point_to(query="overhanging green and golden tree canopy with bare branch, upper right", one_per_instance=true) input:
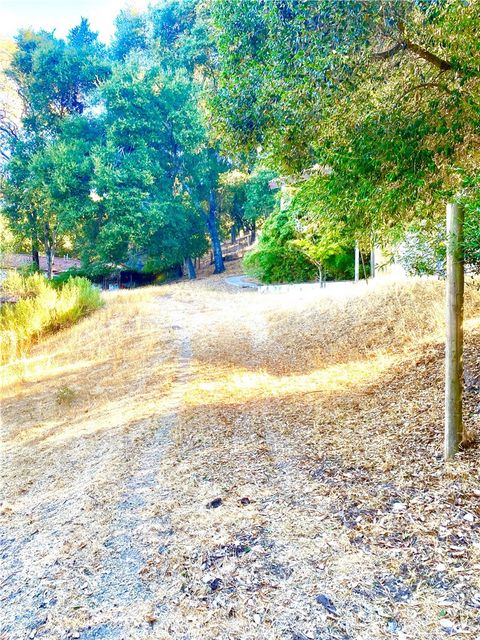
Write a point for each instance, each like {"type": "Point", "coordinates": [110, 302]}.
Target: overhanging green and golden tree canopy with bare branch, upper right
{"type": "Point", "coordinates": [386, 94]}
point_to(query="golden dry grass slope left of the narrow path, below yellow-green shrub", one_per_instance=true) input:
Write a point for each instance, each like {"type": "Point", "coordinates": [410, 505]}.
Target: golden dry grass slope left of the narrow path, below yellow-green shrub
{"type": "Point", "coordinates": [81, 381]}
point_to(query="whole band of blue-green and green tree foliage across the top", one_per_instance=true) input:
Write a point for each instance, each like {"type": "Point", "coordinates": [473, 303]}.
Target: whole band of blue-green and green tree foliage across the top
{"type": "Point", "coordinates": [117, 156]}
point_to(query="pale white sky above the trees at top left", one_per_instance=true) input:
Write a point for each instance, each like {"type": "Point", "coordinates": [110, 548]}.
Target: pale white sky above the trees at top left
{"type": "Point", "coordinates": [62, 15]}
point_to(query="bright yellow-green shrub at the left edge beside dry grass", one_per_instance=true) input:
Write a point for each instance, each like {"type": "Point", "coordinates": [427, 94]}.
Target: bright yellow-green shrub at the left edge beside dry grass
{"type": "Point", "coordinates": [41, 308]}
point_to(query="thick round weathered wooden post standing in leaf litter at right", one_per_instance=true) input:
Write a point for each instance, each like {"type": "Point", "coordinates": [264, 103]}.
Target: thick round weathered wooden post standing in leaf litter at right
{"type": "Point", "coordinates": [454, 334]}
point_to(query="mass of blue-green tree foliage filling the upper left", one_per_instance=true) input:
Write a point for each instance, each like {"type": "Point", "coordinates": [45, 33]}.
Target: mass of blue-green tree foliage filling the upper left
{"type": "Point", "coordinates": [115, 155]}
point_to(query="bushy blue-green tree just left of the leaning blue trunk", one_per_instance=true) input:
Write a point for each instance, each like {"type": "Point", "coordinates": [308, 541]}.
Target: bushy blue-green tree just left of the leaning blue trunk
{"type": "Point", "coordinates": [139, 211]}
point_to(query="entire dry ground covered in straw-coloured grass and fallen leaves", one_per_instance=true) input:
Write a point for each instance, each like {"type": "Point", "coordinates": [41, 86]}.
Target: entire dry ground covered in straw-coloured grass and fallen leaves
{"type": "Point", "coordinates": [198, 462]}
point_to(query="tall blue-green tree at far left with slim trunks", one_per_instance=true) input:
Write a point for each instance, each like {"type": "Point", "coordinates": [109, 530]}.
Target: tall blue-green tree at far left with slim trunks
{"type": "Point", "coordinates": [53, 79]}
